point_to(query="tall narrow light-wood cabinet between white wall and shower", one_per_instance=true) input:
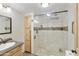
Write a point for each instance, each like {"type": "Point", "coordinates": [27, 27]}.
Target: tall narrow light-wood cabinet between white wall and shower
{"type": "Point", "coordinates": [27, 30]}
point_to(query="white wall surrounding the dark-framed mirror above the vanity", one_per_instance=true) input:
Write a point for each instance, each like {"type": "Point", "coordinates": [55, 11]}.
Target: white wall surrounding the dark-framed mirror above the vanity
{"type": "Point", "coordinates": [17, 25]}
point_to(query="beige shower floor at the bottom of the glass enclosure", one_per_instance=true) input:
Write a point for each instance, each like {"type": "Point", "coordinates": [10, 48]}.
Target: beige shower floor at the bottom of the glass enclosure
{"type": "Point", "coordinates": [49, 53]}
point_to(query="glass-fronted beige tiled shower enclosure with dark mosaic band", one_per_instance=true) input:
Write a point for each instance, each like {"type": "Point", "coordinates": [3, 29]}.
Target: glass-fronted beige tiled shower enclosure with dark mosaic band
{"type": "Point", "coordinates": [50, 34]}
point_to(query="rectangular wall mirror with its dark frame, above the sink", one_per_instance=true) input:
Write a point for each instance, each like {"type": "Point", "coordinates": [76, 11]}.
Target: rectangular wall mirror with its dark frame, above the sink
{"type": "Point", "coordinates": [5, 25]}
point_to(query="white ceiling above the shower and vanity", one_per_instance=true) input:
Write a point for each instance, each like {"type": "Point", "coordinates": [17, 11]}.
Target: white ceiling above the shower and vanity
{"type": "Point", "coordinates": [36, 8]}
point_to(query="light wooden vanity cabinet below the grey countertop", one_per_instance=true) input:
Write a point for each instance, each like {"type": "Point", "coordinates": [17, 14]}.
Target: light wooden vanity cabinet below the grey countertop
{"type": "Point", "coordinates": [15, 52]}
